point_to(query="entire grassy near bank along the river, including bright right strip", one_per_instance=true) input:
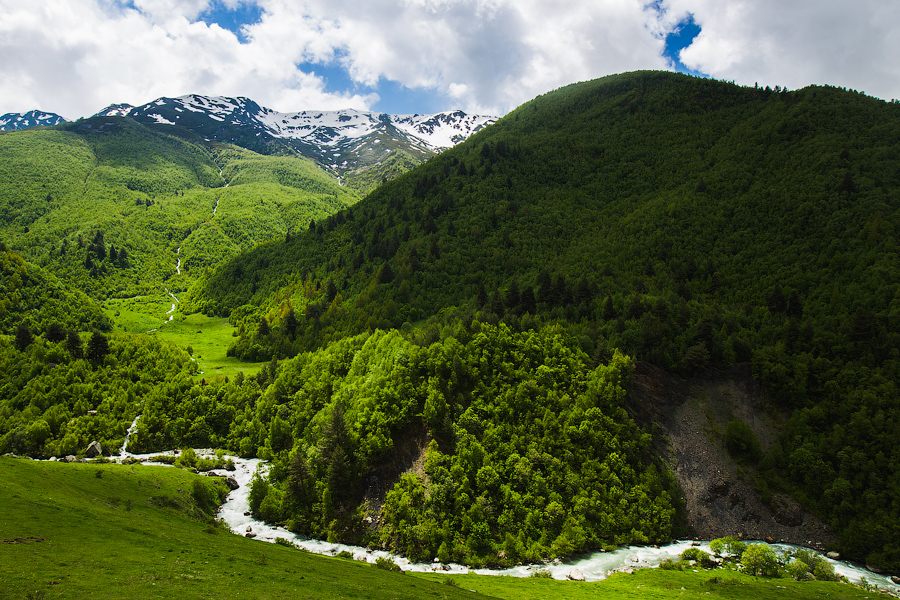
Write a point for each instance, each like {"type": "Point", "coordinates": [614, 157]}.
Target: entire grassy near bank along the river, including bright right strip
{"type": "Point", "coordinates": [135, 531]}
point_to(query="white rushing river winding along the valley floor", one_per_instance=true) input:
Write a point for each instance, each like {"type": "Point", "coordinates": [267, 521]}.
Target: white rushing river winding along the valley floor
{"type": "Point", "coordinates": [235, 512]}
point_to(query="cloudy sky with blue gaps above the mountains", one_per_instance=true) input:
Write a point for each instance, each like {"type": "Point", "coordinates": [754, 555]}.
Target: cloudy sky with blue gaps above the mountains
{"type": "Point", "coordinates": [75, 57]}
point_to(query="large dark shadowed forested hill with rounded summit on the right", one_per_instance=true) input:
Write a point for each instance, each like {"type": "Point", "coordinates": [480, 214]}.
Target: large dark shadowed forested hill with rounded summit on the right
{"type": "Point", "coordinates": [688, 222]}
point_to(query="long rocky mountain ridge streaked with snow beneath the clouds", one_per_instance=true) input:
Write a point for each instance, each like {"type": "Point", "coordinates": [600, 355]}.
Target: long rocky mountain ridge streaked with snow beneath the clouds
{"type": "Point", "coordinates": [346, 142]}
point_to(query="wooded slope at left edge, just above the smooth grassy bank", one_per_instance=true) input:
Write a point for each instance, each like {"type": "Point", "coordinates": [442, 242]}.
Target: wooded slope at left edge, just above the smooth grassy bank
{"type": "Point", "coordinates": [60, 393]}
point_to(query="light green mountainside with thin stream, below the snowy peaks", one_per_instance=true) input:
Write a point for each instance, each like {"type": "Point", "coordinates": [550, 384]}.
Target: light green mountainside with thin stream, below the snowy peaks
{"type": "Point", "coordinates": [113, 206]}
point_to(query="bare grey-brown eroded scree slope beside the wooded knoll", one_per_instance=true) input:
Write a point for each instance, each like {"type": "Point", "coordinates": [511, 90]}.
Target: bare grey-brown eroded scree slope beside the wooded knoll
{"type": "Point", "coordinates": [720, 499]}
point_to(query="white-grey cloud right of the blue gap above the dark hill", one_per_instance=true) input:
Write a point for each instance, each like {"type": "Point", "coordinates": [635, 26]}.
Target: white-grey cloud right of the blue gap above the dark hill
{"type": "Point", "coordinates": [798, 43]}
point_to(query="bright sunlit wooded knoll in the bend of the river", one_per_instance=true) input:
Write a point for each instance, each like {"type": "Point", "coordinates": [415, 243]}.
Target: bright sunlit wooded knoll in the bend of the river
{"type": "Point", "coordinates": [532, 454]}
